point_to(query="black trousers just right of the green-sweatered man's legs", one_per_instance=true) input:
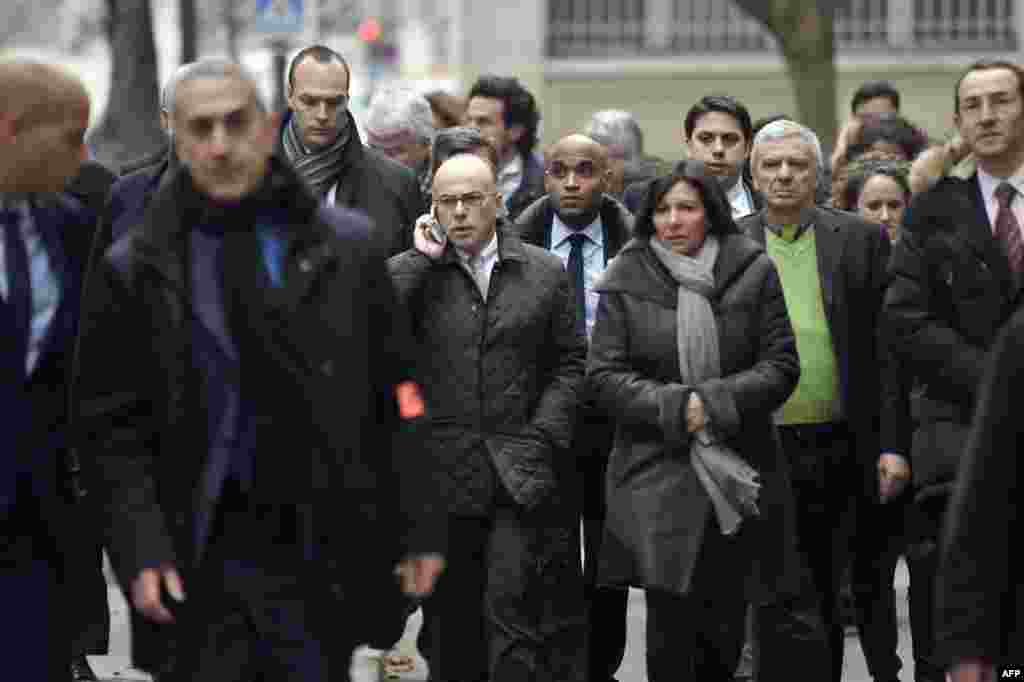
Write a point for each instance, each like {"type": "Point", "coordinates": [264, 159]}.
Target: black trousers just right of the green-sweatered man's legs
{"type": "Point", "coordinates": [885, 533]}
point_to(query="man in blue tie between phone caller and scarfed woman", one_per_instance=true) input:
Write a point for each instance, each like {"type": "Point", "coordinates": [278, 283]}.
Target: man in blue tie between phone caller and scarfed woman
{"type": "Point", "coordinates": [586, 228]}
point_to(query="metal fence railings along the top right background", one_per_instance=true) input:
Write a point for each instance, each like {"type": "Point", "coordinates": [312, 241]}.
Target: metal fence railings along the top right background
{"type": "Point", "coordinates": [663, 28]}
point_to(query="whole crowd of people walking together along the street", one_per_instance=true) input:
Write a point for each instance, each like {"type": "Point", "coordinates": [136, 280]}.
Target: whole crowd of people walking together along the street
{"type": "Point", "coordinates": [300, 385]}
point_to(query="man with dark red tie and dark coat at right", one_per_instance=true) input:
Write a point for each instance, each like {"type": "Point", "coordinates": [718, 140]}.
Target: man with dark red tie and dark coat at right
{"type": "Point", "coordinates": [957, 279]}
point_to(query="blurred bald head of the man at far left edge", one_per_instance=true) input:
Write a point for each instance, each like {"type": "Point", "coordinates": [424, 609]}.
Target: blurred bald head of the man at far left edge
{"type": "Point", "coordinates": [45, 113]}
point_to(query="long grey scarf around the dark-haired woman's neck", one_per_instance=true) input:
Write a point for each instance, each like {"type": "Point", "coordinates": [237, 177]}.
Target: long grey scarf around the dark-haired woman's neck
{"type": "Point", "coordinates": [732, 485]}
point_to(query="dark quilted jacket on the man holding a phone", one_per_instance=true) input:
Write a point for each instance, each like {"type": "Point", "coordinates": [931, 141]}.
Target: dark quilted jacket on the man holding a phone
{"type": "Point", "coordinates": [501, 377]}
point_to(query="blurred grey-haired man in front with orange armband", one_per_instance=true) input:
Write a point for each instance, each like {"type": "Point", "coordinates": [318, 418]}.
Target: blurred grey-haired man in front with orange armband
{"type": "Point", "coordinates": [247, 411]}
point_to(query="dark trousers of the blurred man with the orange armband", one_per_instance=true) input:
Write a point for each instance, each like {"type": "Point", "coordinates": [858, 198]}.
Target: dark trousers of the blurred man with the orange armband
{"type": "Point", "coordinates": [259, 609]}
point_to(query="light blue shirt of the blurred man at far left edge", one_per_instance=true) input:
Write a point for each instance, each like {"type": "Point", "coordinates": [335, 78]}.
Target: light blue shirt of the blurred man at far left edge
{"type": "Point", "coordinates": [46, 288]}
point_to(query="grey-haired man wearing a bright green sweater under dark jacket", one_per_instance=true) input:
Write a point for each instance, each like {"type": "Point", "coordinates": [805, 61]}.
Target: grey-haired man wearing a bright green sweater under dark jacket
{"type": "Point", "coordinates": [833, 268]}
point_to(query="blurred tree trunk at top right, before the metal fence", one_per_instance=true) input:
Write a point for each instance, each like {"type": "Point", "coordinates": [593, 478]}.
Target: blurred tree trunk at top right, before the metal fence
{"type": "Point", "coordinates": [806, 38]}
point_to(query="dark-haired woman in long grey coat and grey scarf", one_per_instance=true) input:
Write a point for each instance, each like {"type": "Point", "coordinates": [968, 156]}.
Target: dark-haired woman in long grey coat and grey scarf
{"type": "Point", "coordinates": [692, 353]}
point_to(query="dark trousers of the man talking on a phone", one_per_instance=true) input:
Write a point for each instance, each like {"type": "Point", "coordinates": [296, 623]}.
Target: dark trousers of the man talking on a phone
{"type": "Point", "coordinates": [493, 617]}
